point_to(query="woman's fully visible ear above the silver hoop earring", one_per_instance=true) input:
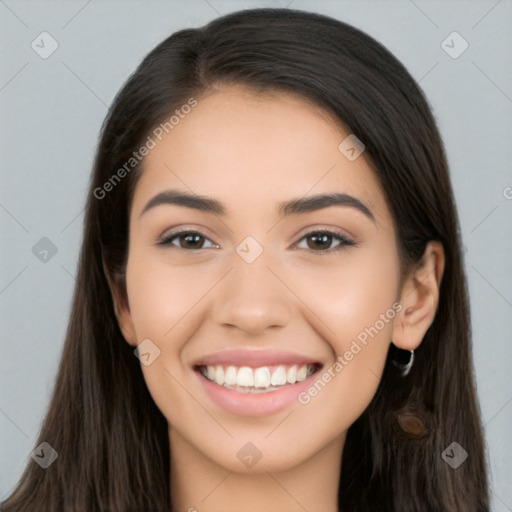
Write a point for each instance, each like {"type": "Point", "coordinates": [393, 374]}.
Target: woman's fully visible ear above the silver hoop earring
{"type": "Point", "coordinates": [419, 299]}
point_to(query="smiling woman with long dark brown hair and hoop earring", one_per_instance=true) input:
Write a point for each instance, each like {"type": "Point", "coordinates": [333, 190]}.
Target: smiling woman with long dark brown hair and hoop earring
{"type": "Point", "coordinates": [271, 311]}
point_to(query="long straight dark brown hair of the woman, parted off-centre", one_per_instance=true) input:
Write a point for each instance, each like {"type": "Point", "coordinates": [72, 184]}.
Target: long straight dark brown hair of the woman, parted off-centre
{"type": "Point", "coordinates": [111, 439]}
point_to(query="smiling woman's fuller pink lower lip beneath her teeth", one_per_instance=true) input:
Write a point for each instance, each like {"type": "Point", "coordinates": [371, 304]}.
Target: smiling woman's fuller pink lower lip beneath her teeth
{"type": "Point", "coordinates": [255, 404]}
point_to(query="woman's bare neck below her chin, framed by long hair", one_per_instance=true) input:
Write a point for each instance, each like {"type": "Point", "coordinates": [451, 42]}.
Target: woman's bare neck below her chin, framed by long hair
{"type": "Point", "coordinates": [198, 484]}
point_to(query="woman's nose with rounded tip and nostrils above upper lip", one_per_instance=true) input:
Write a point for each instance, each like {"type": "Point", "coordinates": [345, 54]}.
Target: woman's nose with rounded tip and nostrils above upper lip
{"type": "Point", "coordinates": [252, 299]}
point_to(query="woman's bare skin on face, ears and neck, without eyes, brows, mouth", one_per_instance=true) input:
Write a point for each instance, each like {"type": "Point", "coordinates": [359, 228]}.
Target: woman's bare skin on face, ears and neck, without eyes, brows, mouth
{"type": "Point", "coordinates": [252, 151]}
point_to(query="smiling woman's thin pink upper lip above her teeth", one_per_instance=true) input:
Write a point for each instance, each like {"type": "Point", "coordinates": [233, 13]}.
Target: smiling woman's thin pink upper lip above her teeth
{"type": "Point", "coordinates": [254, 358]}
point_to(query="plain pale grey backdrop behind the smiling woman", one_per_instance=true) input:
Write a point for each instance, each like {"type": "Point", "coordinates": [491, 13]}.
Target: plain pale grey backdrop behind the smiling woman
{"type": "Point", "coordinates": [51, 113]}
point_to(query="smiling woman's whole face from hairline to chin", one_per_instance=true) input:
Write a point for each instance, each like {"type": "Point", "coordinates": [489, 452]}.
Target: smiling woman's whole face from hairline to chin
{"type": "Point", "coordinates": [246, 294]}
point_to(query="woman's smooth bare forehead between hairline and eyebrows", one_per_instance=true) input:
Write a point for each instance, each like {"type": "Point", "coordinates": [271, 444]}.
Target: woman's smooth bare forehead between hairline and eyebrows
{"type": "Point", "coordinates": [248, 149]}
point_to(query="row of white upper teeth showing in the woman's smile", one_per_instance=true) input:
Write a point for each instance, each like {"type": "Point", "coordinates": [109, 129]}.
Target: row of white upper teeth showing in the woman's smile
{"type": "Point", "coordinates": [257, 378]}
